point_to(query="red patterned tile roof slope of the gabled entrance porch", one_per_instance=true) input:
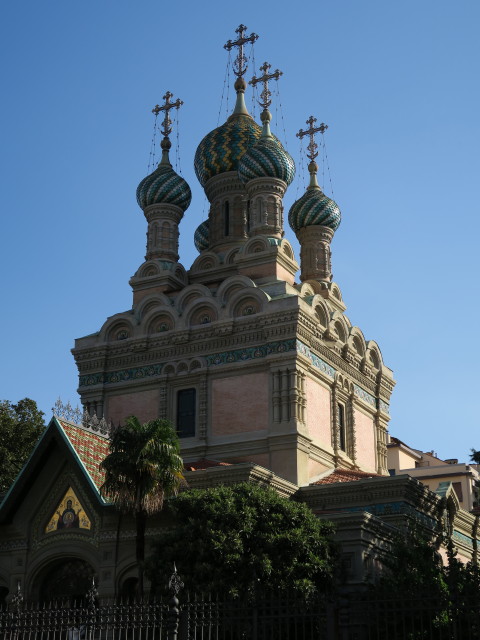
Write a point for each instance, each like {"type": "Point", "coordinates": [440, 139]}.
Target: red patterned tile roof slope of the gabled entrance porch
{"type": "Point", "coordinates": [90, 447]}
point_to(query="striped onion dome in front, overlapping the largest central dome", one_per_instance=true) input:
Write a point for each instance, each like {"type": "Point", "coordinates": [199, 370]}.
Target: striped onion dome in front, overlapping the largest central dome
{"type": "Point", "coordinates": [269, 159]}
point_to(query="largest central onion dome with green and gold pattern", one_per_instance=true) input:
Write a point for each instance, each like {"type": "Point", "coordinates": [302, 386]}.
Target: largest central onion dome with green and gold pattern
{"type": "Point", "coordinates": [222, 148]}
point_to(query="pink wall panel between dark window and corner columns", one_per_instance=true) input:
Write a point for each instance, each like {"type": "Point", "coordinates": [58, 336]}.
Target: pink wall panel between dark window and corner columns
{"type": "Point", "coordinates": [240, 404]}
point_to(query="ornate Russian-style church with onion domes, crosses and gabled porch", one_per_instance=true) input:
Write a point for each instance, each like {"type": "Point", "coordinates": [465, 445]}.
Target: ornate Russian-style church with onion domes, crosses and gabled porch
{"type": "Point", "coordinates": [248, 351]}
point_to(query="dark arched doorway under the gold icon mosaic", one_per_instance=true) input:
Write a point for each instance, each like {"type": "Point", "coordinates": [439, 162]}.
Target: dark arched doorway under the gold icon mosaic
{"type": "Point", "coordinates": [67, 579]}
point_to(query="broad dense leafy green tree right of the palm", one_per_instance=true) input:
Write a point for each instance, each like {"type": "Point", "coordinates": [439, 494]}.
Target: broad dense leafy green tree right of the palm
{"type": "Point", "coordinates": [231, 539]}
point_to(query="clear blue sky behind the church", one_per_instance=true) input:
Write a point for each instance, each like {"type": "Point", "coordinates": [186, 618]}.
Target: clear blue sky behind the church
{"type": "Point", "coordinates": [398, 85]}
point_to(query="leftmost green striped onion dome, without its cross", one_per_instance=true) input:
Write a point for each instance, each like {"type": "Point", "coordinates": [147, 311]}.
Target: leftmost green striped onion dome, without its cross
{"type": "Point", "coordinates": [164, 185]}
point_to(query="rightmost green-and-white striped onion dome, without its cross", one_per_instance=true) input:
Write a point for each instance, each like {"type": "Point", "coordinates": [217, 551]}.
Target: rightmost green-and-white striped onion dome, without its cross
{"type": "Point", "coordinates": [314, 207]}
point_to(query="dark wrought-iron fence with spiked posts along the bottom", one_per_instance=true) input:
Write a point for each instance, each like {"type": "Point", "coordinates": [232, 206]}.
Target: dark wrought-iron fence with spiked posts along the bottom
{"type": "Point", "coordinates": [266, 617]}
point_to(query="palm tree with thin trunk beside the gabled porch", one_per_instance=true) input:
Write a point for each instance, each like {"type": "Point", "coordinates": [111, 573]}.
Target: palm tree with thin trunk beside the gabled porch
{"type": "Point", "coordinates": [142, 469]}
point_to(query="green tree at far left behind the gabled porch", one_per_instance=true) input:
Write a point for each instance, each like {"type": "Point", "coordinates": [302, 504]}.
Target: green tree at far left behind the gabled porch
{"type": "Point", "coordinates": [21, 425]}
